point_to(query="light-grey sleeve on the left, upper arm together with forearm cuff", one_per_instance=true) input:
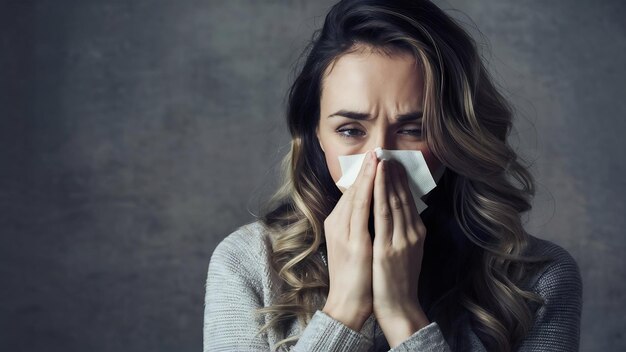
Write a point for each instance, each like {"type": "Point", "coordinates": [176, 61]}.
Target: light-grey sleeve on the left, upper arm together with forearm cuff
{"type": "Point", "coordinates": [234, 290]}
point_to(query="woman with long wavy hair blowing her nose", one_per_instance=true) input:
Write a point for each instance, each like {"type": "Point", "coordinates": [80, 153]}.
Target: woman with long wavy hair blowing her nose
{"type": "Point", "coordinates": [360, 269]}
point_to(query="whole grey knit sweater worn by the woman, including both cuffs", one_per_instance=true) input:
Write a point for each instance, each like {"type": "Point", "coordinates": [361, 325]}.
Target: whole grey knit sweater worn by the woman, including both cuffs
{"type": "Point", "coordinates": [240, 280]}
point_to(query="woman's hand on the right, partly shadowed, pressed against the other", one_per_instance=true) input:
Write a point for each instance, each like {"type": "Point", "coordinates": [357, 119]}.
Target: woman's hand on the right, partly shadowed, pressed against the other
{"type": "Point", "coordinates": [397, 255]}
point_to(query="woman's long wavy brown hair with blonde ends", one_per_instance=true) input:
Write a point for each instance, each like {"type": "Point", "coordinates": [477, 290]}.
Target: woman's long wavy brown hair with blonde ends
{"type": "Point", "coordinates": [466, 124]}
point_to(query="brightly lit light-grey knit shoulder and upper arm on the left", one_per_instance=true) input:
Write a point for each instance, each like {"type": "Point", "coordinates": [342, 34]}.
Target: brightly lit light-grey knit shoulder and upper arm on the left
{"type": "Point", "coordinates": [236, 286]}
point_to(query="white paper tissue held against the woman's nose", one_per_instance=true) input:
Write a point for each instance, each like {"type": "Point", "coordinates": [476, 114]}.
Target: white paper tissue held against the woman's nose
{"type": "Point", "coordinates": [420, 179]}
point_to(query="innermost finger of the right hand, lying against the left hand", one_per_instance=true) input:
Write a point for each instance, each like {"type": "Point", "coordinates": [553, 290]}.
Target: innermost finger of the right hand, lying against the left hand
{"type": "Point", "coordinates": [382, 213]}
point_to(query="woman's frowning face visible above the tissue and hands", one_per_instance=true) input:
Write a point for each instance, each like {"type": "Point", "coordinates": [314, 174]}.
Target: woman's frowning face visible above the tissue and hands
{"type": "Point", "coordinates": [371, 100]}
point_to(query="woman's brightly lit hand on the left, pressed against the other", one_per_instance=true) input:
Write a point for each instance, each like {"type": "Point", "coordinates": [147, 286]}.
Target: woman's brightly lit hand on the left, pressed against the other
{"type": "Point", "coordinates": [349, 248]}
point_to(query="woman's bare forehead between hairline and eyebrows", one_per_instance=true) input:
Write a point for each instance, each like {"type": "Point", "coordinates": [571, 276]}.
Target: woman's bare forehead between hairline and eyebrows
{"type": "Point", "coordinates": [374, 76]}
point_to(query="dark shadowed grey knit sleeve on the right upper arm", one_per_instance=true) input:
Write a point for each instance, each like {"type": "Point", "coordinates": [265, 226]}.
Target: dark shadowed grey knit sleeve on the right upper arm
{"type": "Point", "coordinates": [557, 322]}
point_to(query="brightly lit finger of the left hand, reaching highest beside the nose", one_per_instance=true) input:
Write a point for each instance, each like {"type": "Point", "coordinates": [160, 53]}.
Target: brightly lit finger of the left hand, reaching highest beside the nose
{"type": "Point", "coordinates": [360, 203]}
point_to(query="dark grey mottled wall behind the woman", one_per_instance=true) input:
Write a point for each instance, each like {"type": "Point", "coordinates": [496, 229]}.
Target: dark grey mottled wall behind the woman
{"type": "Point", "coordinates": [136, 135]}
